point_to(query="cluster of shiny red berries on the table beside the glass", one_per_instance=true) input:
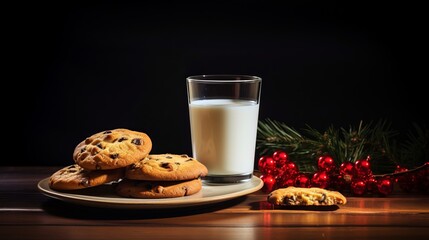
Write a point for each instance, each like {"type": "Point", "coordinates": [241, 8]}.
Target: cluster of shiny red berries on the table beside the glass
{"type": "Point", "coordinates": [278, 171]}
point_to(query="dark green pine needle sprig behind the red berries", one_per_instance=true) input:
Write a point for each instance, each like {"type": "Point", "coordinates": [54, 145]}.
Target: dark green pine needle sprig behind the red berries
{"type": "Point", "coordinates": [375, 140]}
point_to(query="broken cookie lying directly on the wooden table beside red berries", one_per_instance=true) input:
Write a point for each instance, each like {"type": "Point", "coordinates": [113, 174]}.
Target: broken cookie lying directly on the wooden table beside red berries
{"type": "Point", "coordinates": [305, 196]}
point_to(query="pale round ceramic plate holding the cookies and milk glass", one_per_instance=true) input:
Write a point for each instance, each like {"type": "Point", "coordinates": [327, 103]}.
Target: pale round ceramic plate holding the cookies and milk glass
{"type": "Point", "coordinates": [104, 196]}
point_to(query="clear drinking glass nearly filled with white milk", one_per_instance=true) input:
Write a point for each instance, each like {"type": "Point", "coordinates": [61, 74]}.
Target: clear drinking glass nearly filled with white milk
{"type": "Point", "coordinates": [223, 111]}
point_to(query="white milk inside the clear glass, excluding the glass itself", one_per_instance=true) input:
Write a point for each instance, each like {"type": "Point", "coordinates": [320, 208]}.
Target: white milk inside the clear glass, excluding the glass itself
{"type": "Point", "coordinates": [224, 134]}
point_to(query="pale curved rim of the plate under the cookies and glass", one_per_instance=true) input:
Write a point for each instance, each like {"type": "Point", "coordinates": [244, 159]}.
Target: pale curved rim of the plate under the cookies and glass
{"type": "Point", "coordinates": [255, 184]}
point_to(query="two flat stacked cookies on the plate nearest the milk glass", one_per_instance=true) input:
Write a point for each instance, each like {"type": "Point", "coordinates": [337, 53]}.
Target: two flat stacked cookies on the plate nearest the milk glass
{"type": "Point", "coordinates": [162, 176]}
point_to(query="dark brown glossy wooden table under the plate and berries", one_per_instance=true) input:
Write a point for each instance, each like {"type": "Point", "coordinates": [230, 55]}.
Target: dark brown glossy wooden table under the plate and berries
{"type": "Point", "coordinates": [25, 213]}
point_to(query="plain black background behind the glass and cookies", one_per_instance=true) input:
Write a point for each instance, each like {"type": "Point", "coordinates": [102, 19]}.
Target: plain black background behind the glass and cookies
{"type": "Point", "coordinates": [85, 67]}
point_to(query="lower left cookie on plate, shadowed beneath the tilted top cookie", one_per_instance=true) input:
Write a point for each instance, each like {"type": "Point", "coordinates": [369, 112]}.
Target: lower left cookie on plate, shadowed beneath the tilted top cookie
{"type": "Point", "coordinates": [75, 177]}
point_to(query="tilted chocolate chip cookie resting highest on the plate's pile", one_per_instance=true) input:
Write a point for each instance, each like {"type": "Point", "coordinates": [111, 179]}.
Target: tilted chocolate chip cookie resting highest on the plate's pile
{"type": "Point", "coordinates": [112, 149]}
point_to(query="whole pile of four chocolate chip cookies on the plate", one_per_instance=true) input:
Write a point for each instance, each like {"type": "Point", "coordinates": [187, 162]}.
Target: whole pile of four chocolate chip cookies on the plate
{"type": "Point", "coordinates": [122, 156]}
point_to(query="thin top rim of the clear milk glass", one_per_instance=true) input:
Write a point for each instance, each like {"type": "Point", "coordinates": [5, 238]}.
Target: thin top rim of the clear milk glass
{"type": "Point", "coordinates": [223, 78]}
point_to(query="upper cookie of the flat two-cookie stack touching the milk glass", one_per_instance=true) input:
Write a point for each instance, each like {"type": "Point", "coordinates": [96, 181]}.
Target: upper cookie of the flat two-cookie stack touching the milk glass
{"type": "Point", "coordinates": [166, 167]}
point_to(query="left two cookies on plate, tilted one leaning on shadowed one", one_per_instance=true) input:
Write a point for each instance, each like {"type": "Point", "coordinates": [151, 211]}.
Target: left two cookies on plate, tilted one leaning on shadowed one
{"type": "Point", "coordinates": [102, 158]}
